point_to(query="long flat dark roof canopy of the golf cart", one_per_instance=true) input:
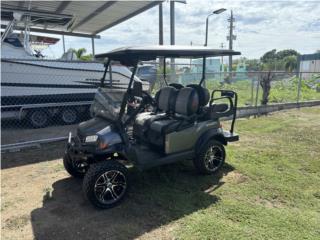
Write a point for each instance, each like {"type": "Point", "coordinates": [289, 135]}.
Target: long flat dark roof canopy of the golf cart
{"type": "Point", "coordinates": [146, 53]}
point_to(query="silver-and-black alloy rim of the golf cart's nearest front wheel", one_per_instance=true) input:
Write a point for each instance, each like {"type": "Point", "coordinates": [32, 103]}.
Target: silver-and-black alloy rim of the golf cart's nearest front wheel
{"type": "Point", "coordinates": [110, 187]}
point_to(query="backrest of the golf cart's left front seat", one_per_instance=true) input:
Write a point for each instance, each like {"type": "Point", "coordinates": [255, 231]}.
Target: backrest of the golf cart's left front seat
{"type": "Point", "coordinates": [165, 99]}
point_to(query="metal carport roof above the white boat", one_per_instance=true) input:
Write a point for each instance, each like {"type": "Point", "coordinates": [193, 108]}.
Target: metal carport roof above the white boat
{"type": "Point", "coordinates": [78, 18]}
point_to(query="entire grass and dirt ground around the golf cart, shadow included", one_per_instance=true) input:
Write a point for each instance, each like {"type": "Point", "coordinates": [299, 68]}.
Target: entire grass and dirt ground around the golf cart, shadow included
{"type": "Point", "coordinates": [268, 189]}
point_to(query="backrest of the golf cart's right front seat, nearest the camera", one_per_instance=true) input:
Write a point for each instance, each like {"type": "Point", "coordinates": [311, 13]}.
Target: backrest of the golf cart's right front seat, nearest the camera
{"type": "Point", "coordinates": [187, 101]}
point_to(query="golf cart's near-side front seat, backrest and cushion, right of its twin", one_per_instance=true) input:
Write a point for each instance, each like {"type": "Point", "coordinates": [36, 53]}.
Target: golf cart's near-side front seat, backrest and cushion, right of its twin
{"type": "Point", "coordinates": [186, 106]}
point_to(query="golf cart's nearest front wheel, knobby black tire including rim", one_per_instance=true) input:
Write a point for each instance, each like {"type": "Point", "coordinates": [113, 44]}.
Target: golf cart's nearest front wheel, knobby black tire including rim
{"type": "Point", "coordinates": [106, 184]}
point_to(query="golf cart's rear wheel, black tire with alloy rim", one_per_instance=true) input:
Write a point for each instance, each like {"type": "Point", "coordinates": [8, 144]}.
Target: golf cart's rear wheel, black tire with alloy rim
{"type": "Point", "coordinates": [210, 158]}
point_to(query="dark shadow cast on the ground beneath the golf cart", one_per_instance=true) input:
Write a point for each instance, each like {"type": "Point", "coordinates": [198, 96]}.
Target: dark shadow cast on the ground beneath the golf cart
{"type": "Point", "coordinates": [157, 197]}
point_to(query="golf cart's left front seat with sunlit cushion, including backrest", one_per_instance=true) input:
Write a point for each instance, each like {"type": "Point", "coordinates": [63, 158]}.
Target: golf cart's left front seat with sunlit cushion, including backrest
{"type": "Point", "coordinates": [165, 100]}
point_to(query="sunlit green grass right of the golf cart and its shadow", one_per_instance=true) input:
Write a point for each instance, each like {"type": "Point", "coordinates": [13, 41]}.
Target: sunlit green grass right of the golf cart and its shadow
{"type": "Point", "coordinates": [273, 193]}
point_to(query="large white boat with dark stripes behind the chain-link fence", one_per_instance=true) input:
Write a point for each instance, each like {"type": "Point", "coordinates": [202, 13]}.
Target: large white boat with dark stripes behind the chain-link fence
{"type": "Point", "coordinates": [29, 82]}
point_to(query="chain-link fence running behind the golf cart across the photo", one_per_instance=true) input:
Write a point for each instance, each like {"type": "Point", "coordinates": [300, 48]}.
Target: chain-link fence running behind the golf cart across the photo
{"type": "Point", "coordinates": [47, 99]}
